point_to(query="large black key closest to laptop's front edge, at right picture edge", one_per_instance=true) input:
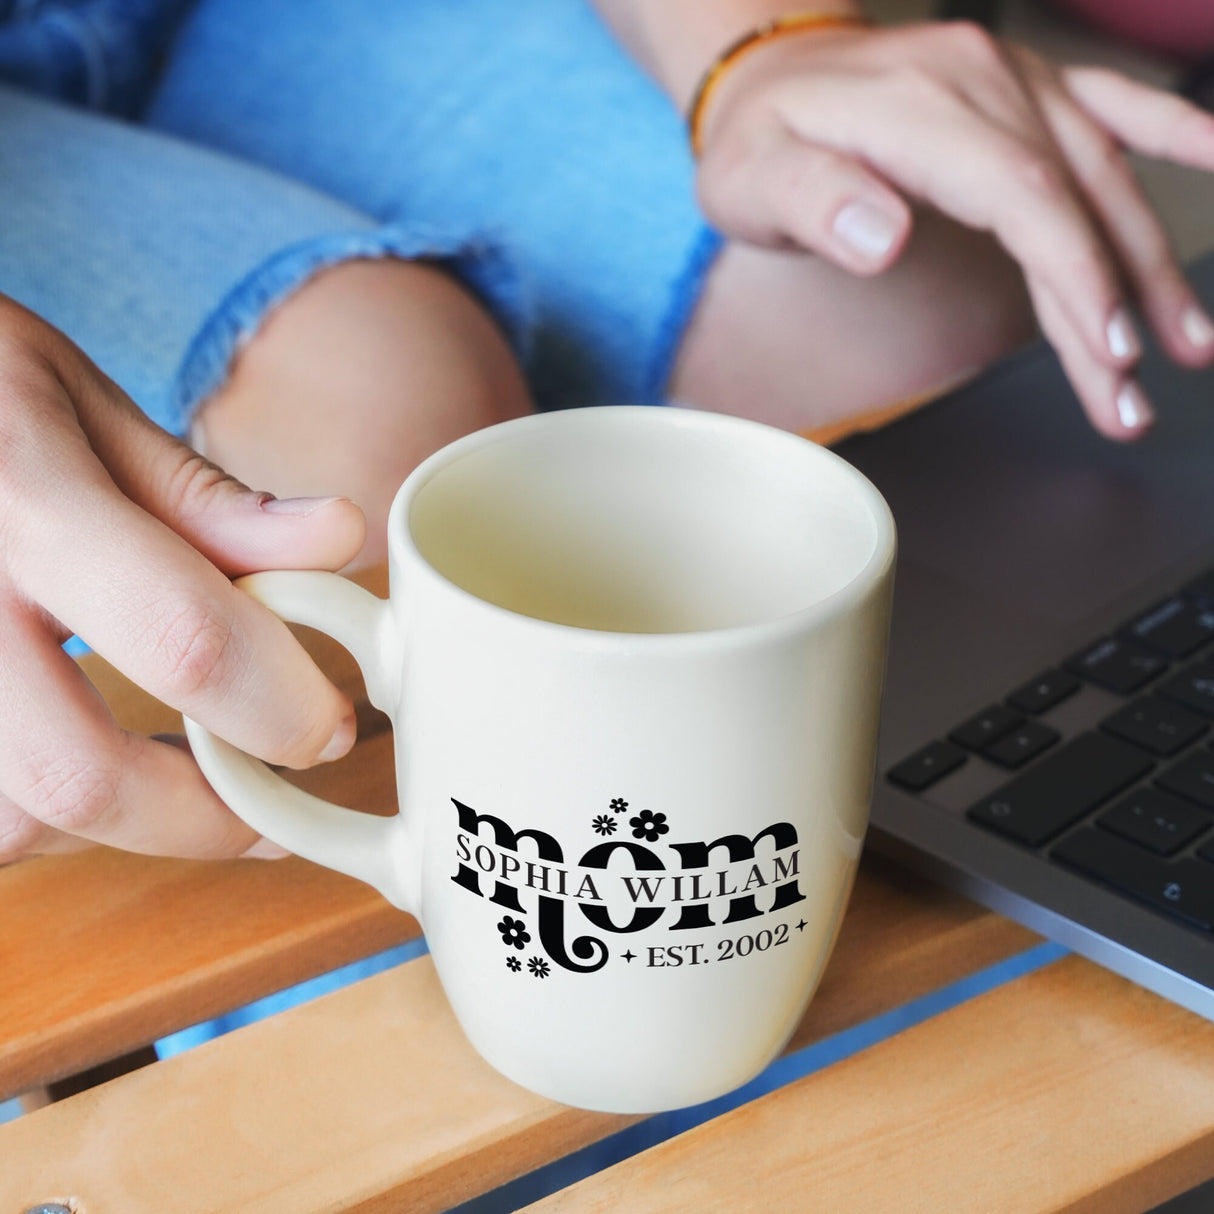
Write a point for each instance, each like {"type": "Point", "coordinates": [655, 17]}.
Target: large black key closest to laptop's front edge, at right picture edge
{"type": "Point", "coordinates": [1181, 888]}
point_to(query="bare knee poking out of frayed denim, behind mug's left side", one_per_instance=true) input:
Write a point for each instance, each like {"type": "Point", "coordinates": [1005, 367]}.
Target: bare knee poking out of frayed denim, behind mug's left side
{"type": "Point", "coordinates": [356, 379]}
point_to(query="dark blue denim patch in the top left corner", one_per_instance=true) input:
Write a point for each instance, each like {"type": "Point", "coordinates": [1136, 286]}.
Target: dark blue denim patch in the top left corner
{"type": "Point", "coordinates": [101, 54]}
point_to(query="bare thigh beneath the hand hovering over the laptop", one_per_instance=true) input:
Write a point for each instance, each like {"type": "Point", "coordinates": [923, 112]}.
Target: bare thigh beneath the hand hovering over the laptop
{"type": "Point", "coordinates": [792, 341]}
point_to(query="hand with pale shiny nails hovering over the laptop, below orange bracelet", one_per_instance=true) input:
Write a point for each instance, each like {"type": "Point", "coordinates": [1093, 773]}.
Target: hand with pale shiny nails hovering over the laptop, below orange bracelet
{"type": "Point", "coordinates": [818, 140]}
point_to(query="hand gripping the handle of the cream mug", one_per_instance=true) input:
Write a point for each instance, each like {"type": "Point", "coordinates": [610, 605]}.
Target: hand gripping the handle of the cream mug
{"type": "Point", "coordinates": [114, 530]}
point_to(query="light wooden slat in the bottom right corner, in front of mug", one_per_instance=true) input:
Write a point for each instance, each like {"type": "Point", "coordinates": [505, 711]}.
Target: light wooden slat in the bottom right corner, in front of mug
{"type": "Point", "coordinates": [1068, 1091]}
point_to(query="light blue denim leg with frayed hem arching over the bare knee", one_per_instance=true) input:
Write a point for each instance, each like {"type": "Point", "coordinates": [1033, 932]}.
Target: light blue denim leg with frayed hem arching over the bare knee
{"type": "Point", "coordinates": [160, 259]}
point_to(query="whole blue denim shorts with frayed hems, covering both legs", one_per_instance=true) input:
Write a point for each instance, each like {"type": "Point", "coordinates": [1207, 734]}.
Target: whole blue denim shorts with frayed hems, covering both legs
{"type": "Point", "coordinates": [515, 144]}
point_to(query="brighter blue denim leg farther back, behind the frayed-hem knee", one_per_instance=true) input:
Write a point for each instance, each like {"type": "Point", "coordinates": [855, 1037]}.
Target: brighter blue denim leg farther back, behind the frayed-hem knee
{"type": "Point", "coordinates": [524, 121]}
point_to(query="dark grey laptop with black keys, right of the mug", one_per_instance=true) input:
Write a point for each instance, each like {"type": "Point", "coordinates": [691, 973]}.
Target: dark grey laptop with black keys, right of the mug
{"type": "Point", "coordinates": [1048, 731]}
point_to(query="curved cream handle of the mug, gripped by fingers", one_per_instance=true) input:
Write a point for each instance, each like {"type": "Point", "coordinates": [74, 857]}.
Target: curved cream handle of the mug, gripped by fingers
{"type": "Point", "coordinates": [361, 846]}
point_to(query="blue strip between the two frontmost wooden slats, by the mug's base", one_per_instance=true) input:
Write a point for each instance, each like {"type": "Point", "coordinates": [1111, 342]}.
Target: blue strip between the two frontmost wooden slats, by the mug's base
{"type": "Point", "coordinates": [784, 1071]}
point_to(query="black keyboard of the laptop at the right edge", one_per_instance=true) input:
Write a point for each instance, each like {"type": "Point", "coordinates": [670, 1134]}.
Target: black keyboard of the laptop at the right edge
{"type": "Point", "coordinates": [1130, 804]}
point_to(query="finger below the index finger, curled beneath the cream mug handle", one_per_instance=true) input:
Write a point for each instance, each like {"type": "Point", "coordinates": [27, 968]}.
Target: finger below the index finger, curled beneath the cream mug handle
{"type": "Point", "coordinates": [67, 765]}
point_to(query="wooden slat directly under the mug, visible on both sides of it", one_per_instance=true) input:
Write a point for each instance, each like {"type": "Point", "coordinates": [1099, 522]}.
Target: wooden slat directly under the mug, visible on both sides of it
{"type": "Point", "coordinates": [370, 1099]}
